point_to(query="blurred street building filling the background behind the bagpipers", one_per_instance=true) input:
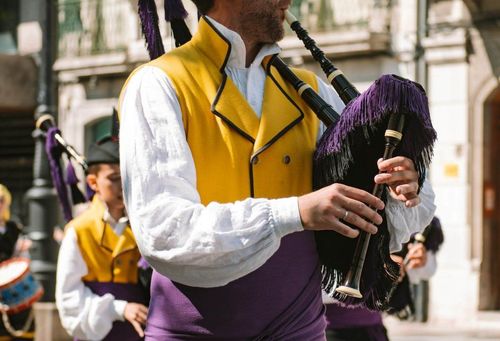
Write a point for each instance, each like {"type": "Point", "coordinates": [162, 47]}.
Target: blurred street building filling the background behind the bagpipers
{"type": "Point", "coordinates": [452, 47]}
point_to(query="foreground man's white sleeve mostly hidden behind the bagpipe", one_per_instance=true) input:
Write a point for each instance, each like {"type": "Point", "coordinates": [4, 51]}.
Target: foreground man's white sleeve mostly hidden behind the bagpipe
{"type": "Point", "coordinates": [402, 221]}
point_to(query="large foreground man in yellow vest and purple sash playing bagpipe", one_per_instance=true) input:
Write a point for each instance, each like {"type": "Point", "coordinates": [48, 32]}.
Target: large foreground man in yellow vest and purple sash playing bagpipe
{"type": "Point", "coordinates": [216, 159]}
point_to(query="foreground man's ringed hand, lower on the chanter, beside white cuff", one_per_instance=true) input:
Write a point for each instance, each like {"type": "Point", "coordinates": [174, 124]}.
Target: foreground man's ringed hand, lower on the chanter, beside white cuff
{"type": "Point", "coordinates": [331, 206]}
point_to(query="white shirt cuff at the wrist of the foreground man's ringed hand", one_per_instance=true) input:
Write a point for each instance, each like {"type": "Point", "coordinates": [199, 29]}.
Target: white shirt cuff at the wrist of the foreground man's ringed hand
{"type": "Point", "coordinates": [285, 216]}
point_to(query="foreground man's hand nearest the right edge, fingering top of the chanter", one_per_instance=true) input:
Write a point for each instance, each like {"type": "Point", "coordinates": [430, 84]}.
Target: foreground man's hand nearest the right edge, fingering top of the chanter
{"type": "Point", "coordinates": [401, 177]}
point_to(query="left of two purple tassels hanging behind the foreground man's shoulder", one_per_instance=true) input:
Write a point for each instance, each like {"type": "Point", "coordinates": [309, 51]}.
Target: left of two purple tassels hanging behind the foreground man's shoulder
{"type": "Point", "coordinates": [150, 29]}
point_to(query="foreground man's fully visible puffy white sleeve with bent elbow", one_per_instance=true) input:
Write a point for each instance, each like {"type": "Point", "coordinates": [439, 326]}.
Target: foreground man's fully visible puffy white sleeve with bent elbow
{"type": "Point", "coordinates": [190, 243]}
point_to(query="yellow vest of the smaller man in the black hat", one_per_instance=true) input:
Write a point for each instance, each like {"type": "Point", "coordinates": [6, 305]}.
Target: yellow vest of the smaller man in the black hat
{"type": "Point", "coordinates": [109, 258]}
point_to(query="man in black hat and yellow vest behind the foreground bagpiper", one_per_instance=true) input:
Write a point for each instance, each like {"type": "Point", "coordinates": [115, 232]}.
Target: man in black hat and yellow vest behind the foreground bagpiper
{"type": "Point", "coordinates": [97, 291]}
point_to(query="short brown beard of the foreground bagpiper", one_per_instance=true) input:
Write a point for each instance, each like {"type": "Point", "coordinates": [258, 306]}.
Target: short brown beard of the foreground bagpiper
{"type": "Point", "coordinates": [262, 24]}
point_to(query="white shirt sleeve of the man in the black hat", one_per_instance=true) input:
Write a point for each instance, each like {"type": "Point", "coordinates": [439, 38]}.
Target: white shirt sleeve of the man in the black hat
{"type": "Point", "coordinates": [83, 314]}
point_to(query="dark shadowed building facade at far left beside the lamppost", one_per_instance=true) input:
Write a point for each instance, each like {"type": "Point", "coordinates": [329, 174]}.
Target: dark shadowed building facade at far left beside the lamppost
{"type": "Point", "coordinates": [17, 106]}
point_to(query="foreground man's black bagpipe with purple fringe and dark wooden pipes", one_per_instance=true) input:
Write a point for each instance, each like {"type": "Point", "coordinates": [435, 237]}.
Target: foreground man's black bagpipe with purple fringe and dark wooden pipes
{"type": "Point", "coordinates": [390, 118]}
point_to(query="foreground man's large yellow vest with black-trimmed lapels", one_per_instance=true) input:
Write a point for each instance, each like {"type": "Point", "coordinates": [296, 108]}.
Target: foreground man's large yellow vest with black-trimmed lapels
{"type": "Point", "coordinates": [237, 155]}
